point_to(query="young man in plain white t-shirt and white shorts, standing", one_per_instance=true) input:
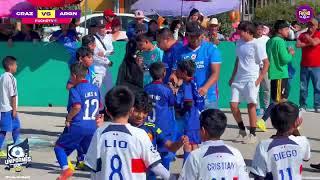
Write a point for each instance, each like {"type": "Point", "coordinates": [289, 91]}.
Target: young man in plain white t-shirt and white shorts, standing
{"type": "Point", "coordinates": [246, 79]}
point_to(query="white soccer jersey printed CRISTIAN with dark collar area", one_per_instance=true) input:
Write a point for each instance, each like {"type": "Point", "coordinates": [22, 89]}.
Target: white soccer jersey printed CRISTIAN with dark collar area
{"type": "Point", "coordinates": [214, 160]}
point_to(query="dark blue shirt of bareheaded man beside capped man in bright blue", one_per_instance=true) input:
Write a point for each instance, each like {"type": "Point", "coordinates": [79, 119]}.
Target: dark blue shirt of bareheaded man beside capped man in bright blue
{"type": "Point", "coordinates": [169, 59]}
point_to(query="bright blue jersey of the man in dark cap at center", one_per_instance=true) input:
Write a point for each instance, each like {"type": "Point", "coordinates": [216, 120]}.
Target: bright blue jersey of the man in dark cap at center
{"type": "Point", "coordinates": [205, 55]}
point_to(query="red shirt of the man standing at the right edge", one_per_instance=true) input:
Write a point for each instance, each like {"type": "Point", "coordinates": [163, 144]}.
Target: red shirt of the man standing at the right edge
{"type": "Point", "coordinates": [310, 54]}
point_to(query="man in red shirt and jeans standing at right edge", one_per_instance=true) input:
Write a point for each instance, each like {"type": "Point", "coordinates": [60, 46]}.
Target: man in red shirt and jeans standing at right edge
{"type": "Point", "coordinates": [310, 64]}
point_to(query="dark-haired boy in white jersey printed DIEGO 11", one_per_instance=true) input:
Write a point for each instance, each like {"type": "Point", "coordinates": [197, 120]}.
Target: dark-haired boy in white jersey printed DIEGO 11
{"type": "Point", "coordinates": [281, 156]}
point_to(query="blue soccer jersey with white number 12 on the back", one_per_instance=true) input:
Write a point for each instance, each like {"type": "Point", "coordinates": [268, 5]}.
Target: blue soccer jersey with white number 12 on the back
{"type": "Point", "coordinates": [88, 96]}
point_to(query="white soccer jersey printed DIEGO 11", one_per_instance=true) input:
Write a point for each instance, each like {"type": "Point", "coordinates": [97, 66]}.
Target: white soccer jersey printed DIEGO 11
{"type": "Point", "coordinates": [281, 158]}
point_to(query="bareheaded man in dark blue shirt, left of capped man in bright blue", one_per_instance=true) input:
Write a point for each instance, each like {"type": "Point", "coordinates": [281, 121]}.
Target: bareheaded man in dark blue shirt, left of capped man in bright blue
{"type": "Point", "coordinates": [171, 47]}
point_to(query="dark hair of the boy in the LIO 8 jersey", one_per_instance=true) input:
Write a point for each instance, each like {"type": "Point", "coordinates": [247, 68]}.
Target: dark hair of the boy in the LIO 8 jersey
{"type": "Point", "coordinates": [119, 101]}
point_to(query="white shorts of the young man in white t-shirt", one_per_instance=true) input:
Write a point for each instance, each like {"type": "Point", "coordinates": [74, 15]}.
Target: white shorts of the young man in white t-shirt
{"type": "Point", "coordinates": [244, 92]}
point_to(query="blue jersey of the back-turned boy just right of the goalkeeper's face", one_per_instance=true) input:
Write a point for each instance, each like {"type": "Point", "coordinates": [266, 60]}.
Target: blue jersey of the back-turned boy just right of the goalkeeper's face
{"type": "Point", "coordinates": [163, 98]}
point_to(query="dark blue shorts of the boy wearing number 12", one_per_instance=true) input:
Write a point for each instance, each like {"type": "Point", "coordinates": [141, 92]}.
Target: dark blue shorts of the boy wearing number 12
{"type": "Point", "coordinates": [72, 139]}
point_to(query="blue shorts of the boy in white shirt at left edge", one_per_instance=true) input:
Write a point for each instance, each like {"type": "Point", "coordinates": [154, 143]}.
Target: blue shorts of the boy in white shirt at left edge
{"type": "Point", "coordinates": [8, 123]}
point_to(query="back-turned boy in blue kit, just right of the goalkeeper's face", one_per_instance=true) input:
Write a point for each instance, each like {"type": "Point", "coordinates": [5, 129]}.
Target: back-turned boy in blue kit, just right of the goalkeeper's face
{"type": "Point", "coordinates": [162, 114]}
